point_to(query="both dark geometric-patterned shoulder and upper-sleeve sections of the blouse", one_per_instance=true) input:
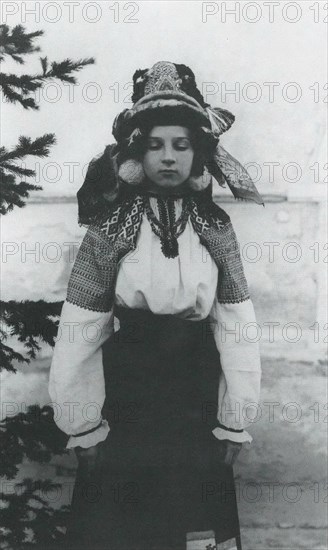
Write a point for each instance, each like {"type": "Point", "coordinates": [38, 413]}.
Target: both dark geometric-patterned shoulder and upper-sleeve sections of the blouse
{"type": "Point", "coordinates": [93, 277]}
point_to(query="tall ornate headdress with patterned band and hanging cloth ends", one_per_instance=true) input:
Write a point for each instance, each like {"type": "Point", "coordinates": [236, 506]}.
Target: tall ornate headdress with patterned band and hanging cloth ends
{"type": "Point", "coordinates": [164, 94]}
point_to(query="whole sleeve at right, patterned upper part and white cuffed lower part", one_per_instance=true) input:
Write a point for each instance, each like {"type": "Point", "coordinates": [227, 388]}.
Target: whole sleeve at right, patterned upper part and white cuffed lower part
{"type": "Point", "coordinates": [235, 332]}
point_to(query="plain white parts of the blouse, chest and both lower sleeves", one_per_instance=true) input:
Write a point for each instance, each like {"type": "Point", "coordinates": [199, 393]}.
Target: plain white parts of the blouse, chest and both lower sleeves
{"type": "Point", "coordinates": [184, 286]}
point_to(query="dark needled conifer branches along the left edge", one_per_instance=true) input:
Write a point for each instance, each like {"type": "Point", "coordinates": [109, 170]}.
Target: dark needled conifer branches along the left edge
{"type": "Point", "coordinates": [27, 519]}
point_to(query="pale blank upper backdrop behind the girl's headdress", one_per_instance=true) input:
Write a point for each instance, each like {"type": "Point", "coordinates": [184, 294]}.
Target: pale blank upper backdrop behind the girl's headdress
{"type": "Point", "coordinates": [273, 54]}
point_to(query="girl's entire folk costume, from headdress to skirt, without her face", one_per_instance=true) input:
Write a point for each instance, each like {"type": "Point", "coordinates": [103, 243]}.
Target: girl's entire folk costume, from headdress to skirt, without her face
{"type": "Point", "coordinates": [145, 360]}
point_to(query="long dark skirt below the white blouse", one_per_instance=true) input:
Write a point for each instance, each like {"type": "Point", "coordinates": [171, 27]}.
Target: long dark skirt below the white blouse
{"type": "Point", "coordinates": [162, 476]}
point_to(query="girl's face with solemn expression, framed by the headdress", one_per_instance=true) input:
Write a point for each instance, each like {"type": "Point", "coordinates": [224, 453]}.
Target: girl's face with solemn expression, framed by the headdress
{"type": "Point", "coordinates": [169, 155]}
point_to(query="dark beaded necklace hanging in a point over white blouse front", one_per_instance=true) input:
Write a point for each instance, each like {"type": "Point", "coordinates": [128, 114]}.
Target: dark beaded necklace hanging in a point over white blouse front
{"type": "Point", "coordinates": [166, 227]}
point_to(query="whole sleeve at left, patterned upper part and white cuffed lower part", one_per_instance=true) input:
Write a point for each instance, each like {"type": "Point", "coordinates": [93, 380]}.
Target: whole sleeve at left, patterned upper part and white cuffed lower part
{"type": "Point", "coordinates": [76, 384]}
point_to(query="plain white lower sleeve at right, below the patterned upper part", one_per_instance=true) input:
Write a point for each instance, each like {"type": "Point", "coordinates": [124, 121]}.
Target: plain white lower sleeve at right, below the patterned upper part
{"type": "Point", "coordinates": [239, 386]}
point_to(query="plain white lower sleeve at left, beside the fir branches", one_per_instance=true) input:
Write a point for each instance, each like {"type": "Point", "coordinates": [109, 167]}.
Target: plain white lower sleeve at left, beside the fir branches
{"type": "Point", "coordinates": [76, 384]}
